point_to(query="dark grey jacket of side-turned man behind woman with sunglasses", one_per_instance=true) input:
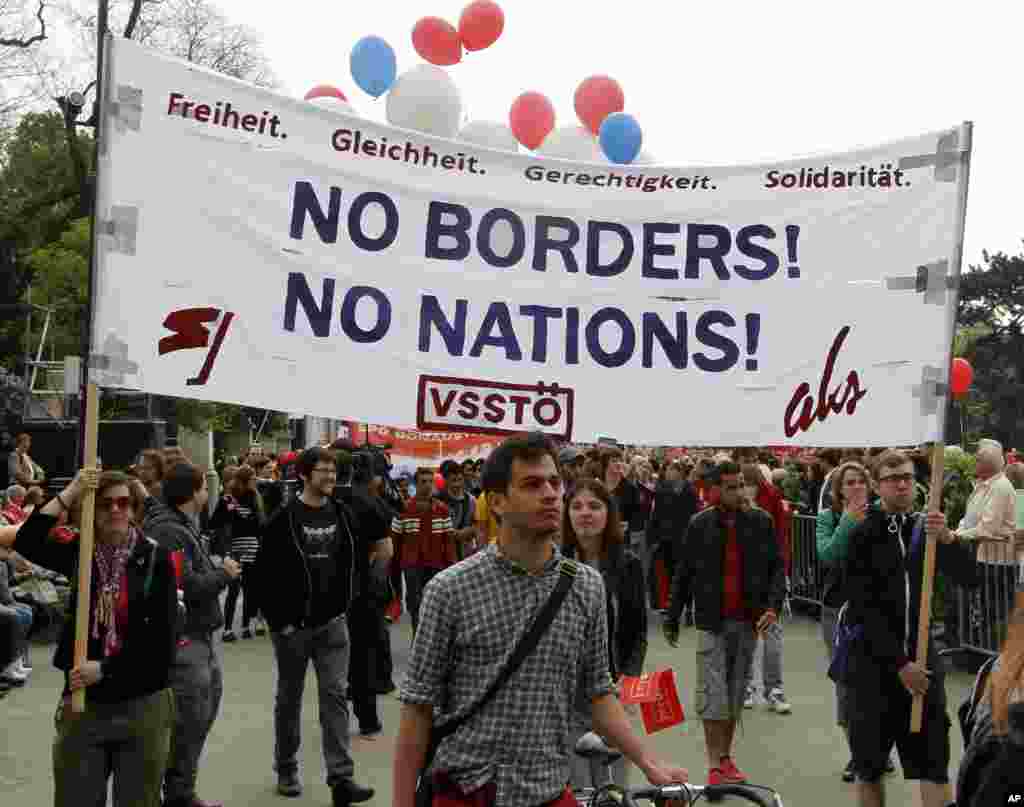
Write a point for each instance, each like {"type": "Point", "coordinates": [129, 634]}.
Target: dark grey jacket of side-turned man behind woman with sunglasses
{"type": "Point", "coordinates": [201, 580]}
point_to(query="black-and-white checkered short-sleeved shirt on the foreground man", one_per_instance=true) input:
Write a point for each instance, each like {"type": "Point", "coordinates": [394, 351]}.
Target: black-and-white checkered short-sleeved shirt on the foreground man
{"type": "Point", "coordinates": [472, 617]}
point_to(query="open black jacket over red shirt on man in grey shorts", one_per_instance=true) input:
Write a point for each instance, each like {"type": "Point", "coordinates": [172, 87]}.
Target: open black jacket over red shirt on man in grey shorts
{"type": "Point", "coordinates": [699, 570]}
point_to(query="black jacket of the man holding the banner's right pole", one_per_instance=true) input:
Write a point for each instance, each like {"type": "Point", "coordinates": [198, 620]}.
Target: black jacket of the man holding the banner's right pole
{"type": "Point", "coordinates": [876, 588]}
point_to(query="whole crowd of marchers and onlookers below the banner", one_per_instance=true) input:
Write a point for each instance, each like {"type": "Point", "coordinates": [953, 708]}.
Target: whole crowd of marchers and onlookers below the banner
{"type": "Point", "coordinates": [327, 551]}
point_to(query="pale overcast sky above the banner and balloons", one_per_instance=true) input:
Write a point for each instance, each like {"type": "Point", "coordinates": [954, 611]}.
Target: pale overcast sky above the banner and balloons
{"type": "Point", "coordinates": [721, 82]}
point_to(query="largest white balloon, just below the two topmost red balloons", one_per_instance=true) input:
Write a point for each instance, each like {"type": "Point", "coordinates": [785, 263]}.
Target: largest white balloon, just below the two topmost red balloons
{"type": "Point", "coordinates": [426, 100]}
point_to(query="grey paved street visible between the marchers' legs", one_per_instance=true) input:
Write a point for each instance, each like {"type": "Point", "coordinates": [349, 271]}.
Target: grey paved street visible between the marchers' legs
{"type": "Point", "coordinates": [800, 755]}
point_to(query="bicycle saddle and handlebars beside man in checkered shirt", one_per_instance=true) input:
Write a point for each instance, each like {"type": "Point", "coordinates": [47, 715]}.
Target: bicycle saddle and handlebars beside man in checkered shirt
{"type": "Point", "coordinates": [593, 749]}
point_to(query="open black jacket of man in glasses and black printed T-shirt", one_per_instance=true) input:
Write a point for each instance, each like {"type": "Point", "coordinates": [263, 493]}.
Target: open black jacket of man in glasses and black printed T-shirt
{"type": "Point", "coordinates": [283, 582]}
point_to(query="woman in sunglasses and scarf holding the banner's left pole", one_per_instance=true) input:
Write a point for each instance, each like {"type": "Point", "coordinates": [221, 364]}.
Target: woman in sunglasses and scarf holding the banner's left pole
{"type": "Point", "coordinates": [130, 708]}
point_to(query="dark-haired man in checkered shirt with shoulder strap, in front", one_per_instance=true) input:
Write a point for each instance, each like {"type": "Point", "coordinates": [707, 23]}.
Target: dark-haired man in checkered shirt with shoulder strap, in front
{"type": "Point", "coordinates": [514, 752]}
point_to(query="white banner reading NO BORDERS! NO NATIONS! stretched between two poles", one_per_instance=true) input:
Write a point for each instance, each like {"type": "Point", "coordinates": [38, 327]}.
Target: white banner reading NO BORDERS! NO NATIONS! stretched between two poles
{"type": "Point", "coordinates": [260, 250]}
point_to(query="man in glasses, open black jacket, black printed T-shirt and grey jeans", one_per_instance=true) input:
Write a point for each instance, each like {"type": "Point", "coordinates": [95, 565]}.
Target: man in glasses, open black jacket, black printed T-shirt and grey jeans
{"type": "Point", "coordinates": [306, 574]}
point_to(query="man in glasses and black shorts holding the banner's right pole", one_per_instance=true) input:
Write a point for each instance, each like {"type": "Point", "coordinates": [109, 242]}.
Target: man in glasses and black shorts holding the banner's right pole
{"type": "Point", "coordinates": [878, 631]}
